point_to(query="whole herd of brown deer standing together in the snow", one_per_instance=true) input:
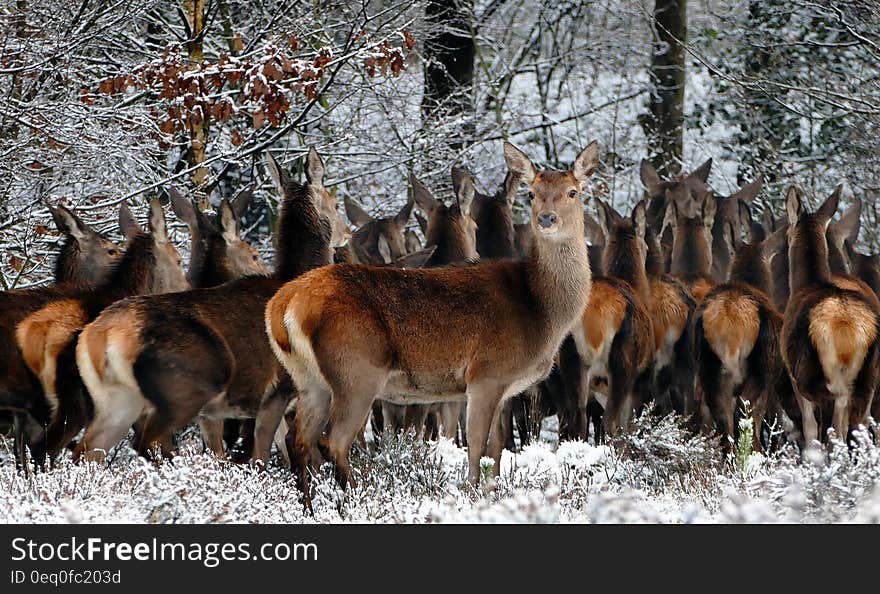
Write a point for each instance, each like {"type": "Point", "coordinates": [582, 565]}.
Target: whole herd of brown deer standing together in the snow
{"type": "Point", "coordinates": [697, 306]}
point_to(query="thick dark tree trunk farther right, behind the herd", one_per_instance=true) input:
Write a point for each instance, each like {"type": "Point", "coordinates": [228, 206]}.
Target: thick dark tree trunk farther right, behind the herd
{"type": "Point", "coordinates": [664, 126]}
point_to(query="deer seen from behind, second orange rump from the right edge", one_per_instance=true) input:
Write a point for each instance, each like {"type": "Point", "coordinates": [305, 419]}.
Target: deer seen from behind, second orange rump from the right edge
{"type": "Point", "coordinates": [736, 337]}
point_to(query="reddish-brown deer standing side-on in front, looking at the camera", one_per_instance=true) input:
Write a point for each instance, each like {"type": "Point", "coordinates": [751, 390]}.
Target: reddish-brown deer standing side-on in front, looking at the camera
{"type": "Point", "coordinates": [484, 332]}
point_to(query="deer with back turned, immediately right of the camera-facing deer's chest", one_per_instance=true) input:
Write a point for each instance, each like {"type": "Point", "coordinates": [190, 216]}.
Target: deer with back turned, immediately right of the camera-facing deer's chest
{"type": "Point", "coordinates": [616, 337]}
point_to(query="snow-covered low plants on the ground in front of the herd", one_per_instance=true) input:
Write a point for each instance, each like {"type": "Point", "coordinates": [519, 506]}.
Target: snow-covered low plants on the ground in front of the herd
{"type": "Point", "coordinates": [657, 473]}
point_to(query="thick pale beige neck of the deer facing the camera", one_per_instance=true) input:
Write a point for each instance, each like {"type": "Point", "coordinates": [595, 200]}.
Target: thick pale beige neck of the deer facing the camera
{"type": "Point", "coordinates": [559, 280]}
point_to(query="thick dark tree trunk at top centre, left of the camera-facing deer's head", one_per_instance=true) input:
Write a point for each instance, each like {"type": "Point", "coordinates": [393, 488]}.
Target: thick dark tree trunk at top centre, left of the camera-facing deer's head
{"type": "Point", "coordinates": [449, 60]}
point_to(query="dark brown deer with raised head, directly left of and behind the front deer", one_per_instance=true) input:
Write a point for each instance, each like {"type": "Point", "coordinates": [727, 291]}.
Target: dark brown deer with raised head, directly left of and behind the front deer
{"type": "Point", "coordinates": [172, 357]}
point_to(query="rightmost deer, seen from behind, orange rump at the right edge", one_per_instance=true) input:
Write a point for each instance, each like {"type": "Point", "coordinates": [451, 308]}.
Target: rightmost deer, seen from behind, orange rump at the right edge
{"type": "Point", "coordinates": [829, 334]}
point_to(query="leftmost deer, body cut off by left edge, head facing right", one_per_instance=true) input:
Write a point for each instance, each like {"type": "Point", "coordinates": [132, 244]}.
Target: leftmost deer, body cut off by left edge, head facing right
{"type": "Point", "coordinates": [86, 257]}
